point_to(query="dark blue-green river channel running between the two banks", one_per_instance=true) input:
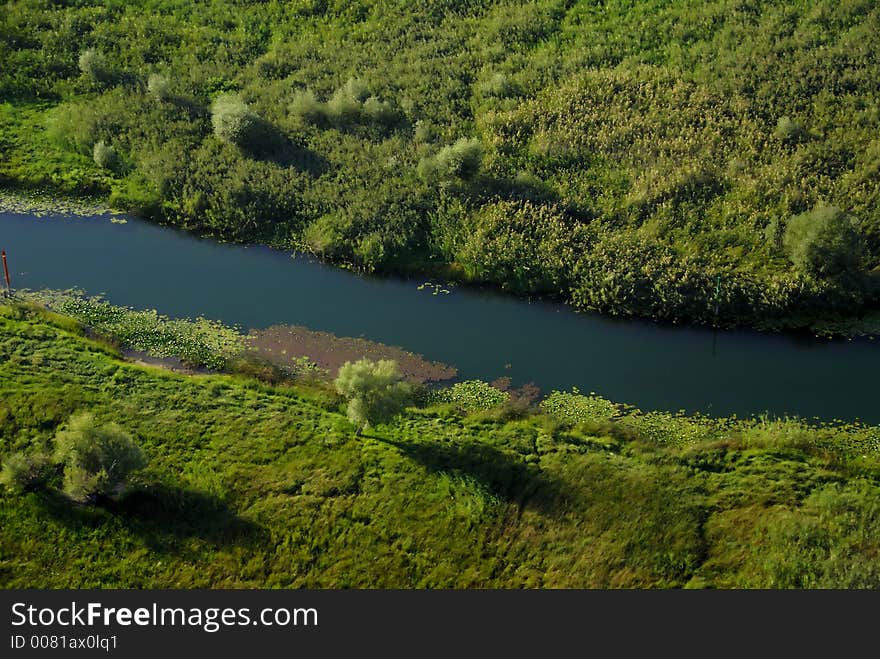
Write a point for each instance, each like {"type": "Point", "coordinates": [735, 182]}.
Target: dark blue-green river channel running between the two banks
{"type": "Point", "coordinates": [484, 334]}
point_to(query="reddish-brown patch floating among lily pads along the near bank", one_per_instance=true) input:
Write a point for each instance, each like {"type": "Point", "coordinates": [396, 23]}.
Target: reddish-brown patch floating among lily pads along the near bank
{"type": "Point", "coordinates": [284, 344]}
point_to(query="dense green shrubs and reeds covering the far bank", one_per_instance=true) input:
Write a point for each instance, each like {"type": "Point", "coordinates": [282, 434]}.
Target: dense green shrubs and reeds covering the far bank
{"type": "Point", "coordinates": [622, 157]}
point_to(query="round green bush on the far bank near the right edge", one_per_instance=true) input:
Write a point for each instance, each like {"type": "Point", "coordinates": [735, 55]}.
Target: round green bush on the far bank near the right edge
{"type": "Point", "coordinates": [824, 242]}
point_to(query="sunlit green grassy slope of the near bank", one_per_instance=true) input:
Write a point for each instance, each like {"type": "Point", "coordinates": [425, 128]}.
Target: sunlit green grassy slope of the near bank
{"type": "Point", "coordinates": [257, 485]}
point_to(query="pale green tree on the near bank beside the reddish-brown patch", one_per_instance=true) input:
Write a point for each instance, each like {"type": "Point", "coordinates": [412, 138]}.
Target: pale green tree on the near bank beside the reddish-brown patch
{"type": "Point", "coordinates": [376, 391]}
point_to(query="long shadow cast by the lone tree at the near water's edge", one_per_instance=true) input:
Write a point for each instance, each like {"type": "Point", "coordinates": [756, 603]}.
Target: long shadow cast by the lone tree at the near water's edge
{"type": "Point", "coordinates": [502, 474]}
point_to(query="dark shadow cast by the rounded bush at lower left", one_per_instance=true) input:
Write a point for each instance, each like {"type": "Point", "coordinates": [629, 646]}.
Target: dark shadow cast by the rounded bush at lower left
{"type": "Point", "coordinates": [161, 515]}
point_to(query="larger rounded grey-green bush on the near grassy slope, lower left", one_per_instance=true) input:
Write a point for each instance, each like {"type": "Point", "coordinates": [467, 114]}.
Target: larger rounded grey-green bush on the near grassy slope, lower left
{"type": "Point", "coordinates": [97, 459]}
